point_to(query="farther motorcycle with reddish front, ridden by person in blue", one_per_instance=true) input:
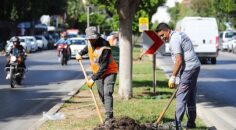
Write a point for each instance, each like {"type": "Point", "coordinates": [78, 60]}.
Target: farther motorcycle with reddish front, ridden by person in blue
{"type": "Point", "coordinates": [63, 53]}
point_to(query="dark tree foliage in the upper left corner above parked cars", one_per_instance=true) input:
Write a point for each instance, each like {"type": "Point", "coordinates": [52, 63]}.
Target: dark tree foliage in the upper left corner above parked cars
{"type": "Point", "coordinates": [27, 10]}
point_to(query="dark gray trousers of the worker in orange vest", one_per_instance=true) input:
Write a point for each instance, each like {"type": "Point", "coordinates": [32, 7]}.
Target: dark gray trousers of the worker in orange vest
{"type": "Point", "coordinates": [105, 88]}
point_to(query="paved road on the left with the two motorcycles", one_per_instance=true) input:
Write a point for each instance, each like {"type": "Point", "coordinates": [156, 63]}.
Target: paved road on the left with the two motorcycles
{"type": "Point", "coordinates": [45, 84]}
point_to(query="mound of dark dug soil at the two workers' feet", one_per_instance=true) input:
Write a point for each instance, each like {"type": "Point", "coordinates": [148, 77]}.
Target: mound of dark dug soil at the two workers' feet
{"type": "Point", "coordinates": [127, 123]}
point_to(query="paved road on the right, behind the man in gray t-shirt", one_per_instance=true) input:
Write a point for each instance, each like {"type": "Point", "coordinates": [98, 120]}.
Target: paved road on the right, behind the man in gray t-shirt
{"type": "Point", "coordinates": [216, 90]}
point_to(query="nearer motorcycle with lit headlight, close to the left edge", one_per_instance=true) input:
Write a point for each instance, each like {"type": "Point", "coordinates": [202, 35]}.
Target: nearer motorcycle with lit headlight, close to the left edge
{"type": "Point", "coordinates": [15, 71]}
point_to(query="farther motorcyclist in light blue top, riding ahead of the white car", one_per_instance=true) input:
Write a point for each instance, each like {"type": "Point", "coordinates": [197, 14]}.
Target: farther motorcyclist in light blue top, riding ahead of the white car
{"type": "Point", "coordinates": [62, 40]}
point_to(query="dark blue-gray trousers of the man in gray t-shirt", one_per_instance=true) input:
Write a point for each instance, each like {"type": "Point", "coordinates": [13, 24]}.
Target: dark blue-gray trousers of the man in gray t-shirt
{"type": "Point", "coordinates": [186, 95]}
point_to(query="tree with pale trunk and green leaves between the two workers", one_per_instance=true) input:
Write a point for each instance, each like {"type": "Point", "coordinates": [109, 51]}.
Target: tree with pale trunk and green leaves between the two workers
{"type": "Point", "coordinates": [125, 14]}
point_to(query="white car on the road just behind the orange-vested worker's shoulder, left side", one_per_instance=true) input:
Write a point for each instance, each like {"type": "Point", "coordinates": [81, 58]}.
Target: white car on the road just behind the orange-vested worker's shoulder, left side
{"type": "Point", "coordinates": [76, 45]}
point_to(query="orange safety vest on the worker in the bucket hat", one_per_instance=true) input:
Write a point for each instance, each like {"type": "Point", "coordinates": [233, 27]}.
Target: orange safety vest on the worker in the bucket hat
{"type": "Point", "coordinates": [94, 56]}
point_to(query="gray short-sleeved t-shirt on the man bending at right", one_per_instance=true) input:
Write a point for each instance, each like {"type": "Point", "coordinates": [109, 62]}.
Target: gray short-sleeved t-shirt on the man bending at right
{"type": "Point", "coordinates": [180, 43]}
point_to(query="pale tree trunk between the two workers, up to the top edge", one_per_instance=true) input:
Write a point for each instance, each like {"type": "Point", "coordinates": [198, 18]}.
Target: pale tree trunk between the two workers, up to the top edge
{"type": "Point", "coordinates": [126, 10]}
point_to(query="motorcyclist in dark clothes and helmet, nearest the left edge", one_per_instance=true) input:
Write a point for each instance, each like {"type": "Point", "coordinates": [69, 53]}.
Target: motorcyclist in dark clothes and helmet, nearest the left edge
{"type": "Point", "coordinates": [20, 51]}
